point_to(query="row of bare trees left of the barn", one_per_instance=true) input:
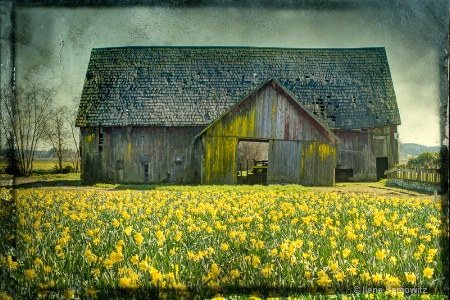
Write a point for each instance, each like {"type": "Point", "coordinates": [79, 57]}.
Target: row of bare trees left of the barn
{"type": "Point", "coordinates": [29, 118]}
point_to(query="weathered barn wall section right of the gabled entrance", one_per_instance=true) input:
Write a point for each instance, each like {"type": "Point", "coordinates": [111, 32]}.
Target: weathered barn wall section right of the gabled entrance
{"type": "Point", "coordinates": [359, 150]}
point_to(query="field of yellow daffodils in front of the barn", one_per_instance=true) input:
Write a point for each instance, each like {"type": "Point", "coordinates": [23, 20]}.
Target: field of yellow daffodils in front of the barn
{"type": "Point", "coordinates": [219, 242]}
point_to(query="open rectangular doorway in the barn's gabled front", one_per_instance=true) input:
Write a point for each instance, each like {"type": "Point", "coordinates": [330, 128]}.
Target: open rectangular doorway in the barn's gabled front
{"type": "Point", "coordinates": [252, 161]}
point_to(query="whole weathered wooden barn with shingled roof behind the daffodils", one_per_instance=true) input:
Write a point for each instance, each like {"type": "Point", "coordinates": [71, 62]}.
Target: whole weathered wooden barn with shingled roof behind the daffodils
{"type": "Point", "coordinates": [177, 114]}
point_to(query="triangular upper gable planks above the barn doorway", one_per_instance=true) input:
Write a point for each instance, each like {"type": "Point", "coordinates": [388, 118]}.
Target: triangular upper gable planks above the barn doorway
{"type": "Point", "coordinates": [270, 113]}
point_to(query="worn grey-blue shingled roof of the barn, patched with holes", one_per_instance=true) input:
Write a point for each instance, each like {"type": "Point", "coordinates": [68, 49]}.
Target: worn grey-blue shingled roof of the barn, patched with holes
{"type": "Point", "coordinates": [184, 86]}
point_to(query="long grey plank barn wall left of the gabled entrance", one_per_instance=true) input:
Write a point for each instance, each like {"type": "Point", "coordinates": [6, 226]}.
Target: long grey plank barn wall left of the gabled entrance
{"type": "Point", "coordinates": [169, 154]}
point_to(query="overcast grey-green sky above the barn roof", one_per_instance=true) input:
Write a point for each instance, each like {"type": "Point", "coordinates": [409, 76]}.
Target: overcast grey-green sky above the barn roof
{"type": "Point", "coordinates": [54, 43]}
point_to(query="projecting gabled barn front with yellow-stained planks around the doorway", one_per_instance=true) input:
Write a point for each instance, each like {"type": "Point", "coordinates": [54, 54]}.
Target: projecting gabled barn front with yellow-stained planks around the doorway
{"type": "Point", "coordinates": [301, 149]}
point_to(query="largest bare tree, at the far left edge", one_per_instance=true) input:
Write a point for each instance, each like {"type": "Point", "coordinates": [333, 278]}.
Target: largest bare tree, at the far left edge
{"type": "Point", "coordinates": [24, 118]}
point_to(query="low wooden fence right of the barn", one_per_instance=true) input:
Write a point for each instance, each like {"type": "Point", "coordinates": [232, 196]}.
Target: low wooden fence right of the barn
{"type": "Point", "coordinates": [431, 174]}
